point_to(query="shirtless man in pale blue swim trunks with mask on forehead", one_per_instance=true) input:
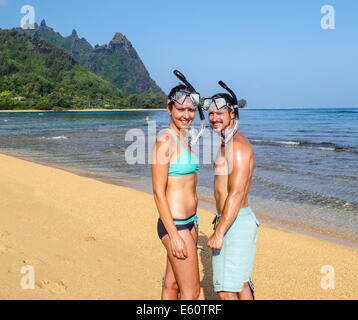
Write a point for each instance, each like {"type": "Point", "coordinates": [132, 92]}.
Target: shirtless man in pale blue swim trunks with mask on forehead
{"type": "Point", "coordinates": [234, 239]}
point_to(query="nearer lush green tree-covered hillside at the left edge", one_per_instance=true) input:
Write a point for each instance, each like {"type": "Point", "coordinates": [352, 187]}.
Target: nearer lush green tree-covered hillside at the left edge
{"type": "Point", "coordinates": [48, 76]}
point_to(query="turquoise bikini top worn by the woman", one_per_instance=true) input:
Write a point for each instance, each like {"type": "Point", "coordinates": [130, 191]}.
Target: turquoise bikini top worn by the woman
{"type": "Point", "coordinates": [185, 165]}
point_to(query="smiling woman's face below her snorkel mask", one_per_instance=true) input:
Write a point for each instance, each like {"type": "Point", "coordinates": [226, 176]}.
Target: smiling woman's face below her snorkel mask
{"type": "Point", "coordinates": [182, 115]}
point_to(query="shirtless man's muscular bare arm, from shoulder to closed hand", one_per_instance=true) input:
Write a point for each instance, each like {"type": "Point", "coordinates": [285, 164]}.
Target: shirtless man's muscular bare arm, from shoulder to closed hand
{"type": "Point", "coordinates": [238, 180]}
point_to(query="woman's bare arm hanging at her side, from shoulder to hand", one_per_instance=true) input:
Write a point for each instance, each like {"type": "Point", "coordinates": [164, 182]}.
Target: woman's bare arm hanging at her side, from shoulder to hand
{"type": "Point", "coordinates": [160, 165]}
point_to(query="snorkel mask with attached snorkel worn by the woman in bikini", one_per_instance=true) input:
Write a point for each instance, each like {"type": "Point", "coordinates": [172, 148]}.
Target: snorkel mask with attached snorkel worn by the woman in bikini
{"type": "Point", "coordinates": [180, 97]}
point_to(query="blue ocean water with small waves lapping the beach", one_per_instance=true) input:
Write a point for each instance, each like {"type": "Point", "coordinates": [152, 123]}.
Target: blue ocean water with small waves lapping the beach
{"type": "Point", "coordinates": [306, 159]}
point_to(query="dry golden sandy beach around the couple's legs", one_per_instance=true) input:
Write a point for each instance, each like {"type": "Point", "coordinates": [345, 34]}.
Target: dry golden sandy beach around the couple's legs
{"type": "Point", "coordinates": [86, 239]}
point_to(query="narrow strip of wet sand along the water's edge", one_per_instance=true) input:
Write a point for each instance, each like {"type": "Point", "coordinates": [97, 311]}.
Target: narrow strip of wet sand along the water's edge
{"type": "Point", "coordinates": [204, 203]}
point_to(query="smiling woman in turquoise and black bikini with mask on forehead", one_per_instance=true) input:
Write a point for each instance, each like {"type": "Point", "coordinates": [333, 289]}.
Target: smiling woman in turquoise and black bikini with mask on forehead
{"type": "Point", "coordinates": [174, 185]}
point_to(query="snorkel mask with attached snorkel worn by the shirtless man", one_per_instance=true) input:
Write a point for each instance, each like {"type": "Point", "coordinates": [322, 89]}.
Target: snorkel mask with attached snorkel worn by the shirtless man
{"type": "Point", "coordinates": [219, 104]}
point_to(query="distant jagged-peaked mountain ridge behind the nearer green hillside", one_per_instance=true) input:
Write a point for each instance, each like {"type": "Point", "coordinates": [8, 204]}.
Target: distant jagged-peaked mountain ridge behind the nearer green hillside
{"type": "Point", "coordinates": [118, 62]}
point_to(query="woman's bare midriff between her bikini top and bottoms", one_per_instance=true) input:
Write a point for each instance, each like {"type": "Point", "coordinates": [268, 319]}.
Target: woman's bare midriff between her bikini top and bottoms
{"type": "Point", "coordinates": [181, 196]}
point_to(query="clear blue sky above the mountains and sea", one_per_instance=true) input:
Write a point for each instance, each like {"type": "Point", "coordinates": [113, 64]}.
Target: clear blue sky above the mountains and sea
{"type": "Point", "coordinates": [272, 53]}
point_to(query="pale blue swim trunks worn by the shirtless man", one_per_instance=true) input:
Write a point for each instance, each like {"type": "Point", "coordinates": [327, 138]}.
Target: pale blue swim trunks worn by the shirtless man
{"type": "Point", "coordinates": [232, 265]}
